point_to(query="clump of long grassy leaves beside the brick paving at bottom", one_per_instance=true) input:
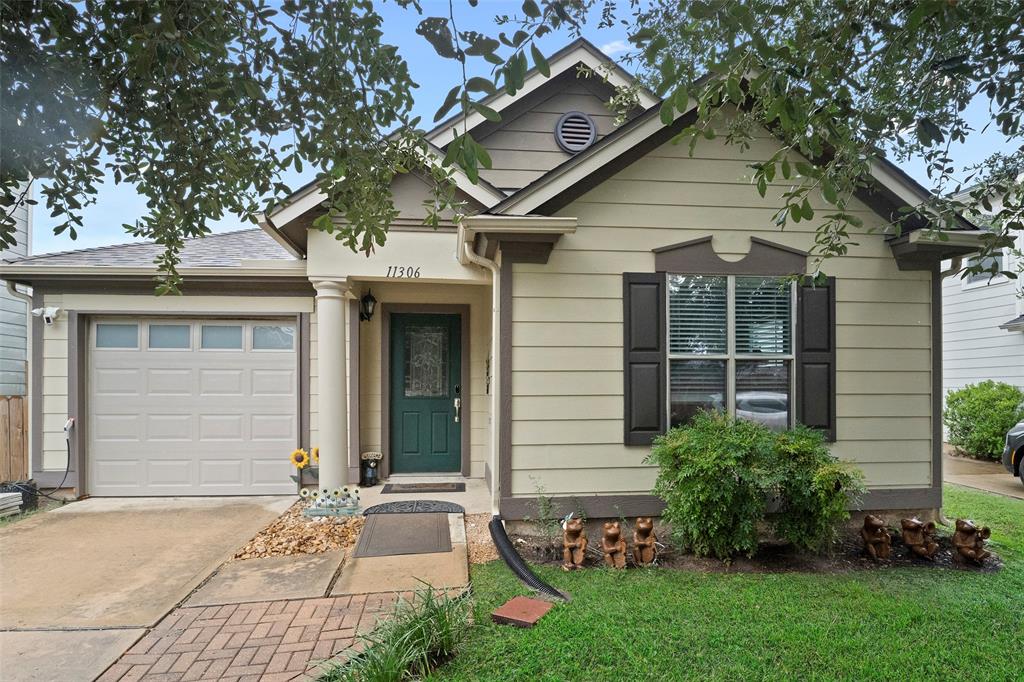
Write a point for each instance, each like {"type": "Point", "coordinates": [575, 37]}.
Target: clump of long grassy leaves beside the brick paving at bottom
{"type": "Point", "coordinates": [419, 635]}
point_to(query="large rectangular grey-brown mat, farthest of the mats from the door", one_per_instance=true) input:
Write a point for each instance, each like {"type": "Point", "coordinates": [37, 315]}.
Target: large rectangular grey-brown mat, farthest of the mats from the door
{"type": "Point", "coordinates": [391, 535]}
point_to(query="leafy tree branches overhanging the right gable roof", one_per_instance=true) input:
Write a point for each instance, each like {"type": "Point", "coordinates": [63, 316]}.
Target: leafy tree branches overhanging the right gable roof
{"type": "Point", "coordinates": [840, 82]}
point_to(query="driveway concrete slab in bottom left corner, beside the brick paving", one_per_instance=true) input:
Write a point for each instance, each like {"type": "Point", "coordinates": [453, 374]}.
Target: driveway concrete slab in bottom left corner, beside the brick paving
{"type": "Point", "coordinates": [70, 656]}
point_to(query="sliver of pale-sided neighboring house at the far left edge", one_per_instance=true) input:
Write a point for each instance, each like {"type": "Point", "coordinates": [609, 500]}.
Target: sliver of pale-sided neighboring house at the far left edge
{"type": "Point", "coordinates": [15, 315]}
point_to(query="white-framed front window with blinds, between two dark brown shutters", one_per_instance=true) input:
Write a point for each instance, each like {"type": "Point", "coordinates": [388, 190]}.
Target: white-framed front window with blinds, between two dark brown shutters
{"type": "Point", "coordinates": [731, 348]}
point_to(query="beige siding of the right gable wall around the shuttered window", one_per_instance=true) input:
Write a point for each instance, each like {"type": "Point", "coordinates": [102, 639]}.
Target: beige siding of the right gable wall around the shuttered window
{"type": "Point", "coordinates": [568, 335]}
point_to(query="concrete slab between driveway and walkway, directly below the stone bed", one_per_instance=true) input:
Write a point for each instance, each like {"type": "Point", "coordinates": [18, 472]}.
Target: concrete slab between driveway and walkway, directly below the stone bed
{"type": "Point", "coordinates": [297, 577]}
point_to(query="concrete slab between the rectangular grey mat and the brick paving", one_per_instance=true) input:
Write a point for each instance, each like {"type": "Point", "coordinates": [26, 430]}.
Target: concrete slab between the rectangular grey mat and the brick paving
{"type": "Point", "coordinates": [404, 573]}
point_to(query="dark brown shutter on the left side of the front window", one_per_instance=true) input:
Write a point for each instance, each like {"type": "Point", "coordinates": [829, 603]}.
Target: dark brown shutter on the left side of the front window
{"type": "Point", "coordinates": [645, 346]}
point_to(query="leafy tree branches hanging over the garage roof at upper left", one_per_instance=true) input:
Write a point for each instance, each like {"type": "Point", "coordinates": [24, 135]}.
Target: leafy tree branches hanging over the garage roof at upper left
{"type": "Point", "coordinates": [202, 105]}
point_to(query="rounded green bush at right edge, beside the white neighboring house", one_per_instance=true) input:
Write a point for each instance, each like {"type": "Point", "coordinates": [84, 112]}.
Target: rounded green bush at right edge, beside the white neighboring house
{"type": "Point", "coordinates": [978, 417]}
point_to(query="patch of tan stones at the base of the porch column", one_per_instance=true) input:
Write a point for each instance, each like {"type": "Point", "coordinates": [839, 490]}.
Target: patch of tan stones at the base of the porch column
{"type": "Point", "coordinates": [294, 534]}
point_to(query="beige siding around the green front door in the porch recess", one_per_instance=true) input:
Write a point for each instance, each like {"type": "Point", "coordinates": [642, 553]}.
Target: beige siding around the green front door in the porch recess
{"type": "Point", "coordinates": [479, 300]}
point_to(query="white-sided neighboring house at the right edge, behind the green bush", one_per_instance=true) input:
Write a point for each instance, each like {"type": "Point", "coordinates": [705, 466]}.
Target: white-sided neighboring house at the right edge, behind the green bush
{"type": "Point", "coordinates": [984, 324]}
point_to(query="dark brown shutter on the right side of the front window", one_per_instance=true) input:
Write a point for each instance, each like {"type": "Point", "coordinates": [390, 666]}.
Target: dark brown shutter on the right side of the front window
{"type": "Point", "coordinates": [816, 399]}
